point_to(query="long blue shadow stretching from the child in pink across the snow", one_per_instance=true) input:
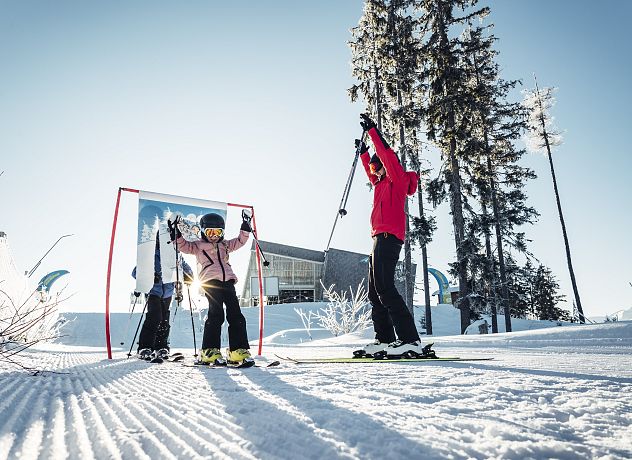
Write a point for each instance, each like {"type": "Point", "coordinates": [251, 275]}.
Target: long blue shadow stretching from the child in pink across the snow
{"type": "Point", "coordinates": [281, 421]}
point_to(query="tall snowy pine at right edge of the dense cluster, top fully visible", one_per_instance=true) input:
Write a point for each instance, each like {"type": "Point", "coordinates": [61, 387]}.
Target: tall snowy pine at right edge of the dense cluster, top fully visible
{"type": "Point", "coordinates": [495, 124]}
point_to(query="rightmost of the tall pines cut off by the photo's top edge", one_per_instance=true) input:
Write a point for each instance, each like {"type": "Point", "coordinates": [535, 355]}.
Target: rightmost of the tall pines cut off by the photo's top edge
{"type": "Point", "coordinates": [446, 83]}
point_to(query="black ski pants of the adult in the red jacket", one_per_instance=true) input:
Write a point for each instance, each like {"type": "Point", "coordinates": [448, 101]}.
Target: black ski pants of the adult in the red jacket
{"type": "Point", "coordinates": [389, 313]}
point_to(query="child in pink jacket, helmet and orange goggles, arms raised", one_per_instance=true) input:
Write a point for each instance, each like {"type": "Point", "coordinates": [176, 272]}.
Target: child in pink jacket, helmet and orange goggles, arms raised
{"type": "Point", "coordinates": [218, 281]}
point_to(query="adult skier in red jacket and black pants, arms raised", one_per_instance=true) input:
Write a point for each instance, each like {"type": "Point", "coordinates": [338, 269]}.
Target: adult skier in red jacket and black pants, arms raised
{"type": "Point", "coordinates": [395, 331]}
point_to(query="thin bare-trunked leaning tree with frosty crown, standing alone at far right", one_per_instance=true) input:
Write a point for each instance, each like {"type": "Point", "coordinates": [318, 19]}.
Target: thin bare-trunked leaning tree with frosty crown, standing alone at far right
{"type": "Point", "coordinates": [543, 137]}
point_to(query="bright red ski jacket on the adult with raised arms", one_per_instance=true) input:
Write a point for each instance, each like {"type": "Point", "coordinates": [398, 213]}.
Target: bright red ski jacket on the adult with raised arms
{"type": "Point", "coordinates": [390, 192]}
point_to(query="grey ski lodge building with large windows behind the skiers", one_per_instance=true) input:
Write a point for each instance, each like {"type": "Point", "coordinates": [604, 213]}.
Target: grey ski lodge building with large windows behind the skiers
{"type": "Point", "coordinates": [295, 274]}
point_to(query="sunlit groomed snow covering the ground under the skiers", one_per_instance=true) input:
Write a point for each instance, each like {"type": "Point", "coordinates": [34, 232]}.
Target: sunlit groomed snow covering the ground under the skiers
{"type": "Point", "coordinates": [558, 392]}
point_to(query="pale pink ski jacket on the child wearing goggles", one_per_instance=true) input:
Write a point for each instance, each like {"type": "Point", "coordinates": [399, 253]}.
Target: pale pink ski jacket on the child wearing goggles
{"type": "Point", "coordinates": [212, 258]}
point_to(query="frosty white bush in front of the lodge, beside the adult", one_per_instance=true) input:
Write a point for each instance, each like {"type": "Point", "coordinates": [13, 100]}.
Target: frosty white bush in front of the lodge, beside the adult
{"type": "Point", "coordinates": [342, 316]}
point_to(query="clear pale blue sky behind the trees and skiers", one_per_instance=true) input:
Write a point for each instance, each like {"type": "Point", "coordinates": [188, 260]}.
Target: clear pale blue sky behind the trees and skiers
{"type": "Point", "coordinates": [246, 103]}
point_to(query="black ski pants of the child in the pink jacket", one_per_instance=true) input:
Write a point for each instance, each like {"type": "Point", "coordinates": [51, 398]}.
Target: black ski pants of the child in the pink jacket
{"type": "Point", "coordinates": [219, 293]}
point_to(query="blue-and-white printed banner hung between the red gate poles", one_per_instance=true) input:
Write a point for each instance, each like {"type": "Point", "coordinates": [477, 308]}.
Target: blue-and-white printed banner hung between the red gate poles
{"type": "Point", "coordinates": [154, 209]}
